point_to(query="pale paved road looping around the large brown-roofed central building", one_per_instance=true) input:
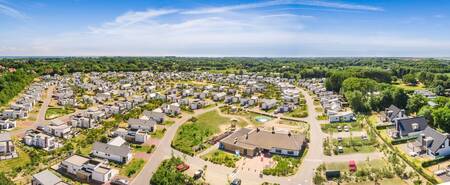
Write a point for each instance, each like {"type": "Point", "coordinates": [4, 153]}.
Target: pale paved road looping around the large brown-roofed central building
{"type": "Point", "coordinates": [218, 174]}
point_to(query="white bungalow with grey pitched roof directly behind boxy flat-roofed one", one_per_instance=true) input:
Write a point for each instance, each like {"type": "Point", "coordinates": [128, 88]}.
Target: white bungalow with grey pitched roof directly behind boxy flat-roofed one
{"type": "Point", "coordinates": [116, 150]}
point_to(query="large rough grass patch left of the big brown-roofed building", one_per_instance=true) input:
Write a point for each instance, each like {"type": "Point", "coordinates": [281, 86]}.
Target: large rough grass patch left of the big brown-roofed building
{"type": "Point", "coordinates": [194, 134]}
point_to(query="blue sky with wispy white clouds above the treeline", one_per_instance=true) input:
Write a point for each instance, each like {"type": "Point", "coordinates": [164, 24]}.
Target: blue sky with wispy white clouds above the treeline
{"type": "Point", "coordinates": [294, 28]}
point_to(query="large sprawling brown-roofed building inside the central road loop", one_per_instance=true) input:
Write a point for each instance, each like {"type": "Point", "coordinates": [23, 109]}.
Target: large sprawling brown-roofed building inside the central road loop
{"type": "Point", "coordinates": [251, 142]}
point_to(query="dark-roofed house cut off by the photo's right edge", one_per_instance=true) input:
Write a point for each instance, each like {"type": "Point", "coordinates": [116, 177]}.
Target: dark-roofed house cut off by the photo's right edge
{"type": "Point", "coordinates": [434, 143]}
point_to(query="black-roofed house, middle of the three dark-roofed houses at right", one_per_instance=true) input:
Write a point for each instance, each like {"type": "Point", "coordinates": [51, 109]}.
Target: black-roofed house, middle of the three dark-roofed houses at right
{"type": "Point", "coordinates": [409, 126]}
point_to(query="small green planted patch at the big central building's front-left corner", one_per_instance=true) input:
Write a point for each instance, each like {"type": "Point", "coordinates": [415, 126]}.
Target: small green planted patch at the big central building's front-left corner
{"type": "Point", "coordinates": [221, 157]}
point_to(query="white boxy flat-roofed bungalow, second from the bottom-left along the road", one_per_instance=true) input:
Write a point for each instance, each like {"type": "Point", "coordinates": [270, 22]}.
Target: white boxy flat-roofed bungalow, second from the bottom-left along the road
{"type": "Point", "coordinates": [86, 169]}
